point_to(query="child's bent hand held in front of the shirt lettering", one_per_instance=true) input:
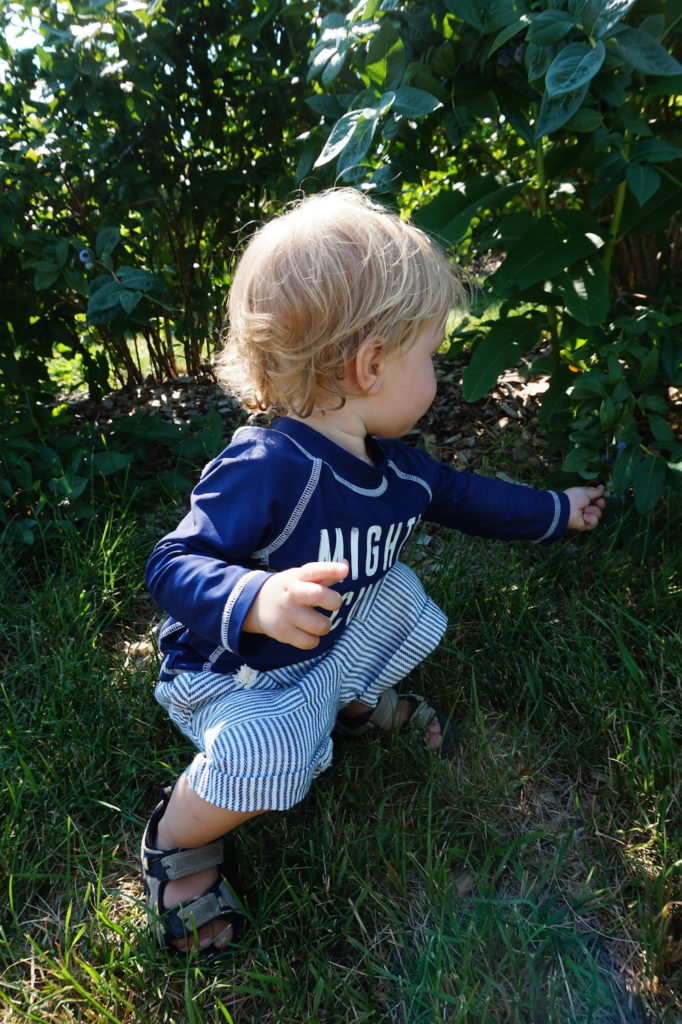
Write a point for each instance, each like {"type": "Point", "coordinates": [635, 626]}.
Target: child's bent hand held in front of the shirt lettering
{"type": "Point", "coordinates": [285, 607]}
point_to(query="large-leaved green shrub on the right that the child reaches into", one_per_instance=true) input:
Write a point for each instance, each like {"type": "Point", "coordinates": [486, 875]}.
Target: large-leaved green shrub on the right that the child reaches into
{"type": "Point", "coordinates": [541, 139]}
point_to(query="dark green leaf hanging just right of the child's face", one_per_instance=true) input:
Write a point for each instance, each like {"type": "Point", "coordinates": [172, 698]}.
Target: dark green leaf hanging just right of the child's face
{"type": "Point", "coordinates": [502, 348]}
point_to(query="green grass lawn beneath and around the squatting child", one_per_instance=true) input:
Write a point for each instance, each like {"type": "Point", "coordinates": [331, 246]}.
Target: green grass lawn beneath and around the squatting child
{"type": "Point", "coordinates": [534, 879]}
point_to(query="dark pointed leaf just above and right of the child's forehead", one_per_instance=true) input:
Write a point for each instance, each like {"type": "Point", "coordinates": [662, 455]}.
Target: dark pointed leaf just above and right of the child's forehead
{"type": "Point", "coordinates": [450, 215]}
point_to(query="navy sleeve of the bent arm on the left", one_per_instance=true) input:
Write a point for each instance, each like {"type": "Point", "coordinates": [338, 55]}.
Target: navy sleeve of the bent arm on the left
{"type": "Point", "coordinates": [204, 574]}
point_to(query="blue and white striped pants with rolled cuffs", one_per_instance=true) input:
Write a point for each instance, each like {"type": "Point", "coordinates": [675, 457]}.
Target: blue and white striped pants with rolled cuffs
{"type": "Point", "coordinates": [264, 737]}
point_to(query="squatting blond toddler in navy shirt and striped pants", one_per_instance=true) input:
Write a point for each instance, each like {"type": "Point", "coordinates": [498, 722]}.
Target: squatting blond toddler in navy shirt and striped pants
{"type": "Point", "coordinates": [291, 614]}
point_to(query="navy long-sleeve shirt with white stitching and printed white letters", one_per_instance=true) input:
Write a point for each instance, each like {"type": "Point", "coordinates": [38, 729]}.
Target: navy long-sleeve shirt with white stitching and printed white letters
{"type": "Point", "coordinates": [278, 498]}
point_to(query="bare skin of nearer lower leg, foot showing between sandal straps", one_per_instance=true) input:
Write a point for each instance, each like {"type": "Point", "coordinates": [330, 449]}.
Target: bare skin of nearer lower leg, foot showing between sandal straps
{"type": "Point", "coordinates": [188, 823]}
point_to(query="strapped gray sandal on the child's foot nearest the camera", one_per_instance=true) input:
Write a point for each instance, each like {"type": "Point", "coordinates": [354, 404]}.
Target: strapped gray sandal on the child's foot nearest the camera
{"type": "Point", "coordinates": [161, 867]}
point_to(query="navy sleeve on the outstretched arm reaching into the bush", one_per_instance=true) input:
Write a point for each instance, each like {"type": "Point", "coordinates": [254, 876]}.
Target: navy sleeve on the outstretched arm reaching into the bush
{"type": "Point", "coordinates": [493, 508]}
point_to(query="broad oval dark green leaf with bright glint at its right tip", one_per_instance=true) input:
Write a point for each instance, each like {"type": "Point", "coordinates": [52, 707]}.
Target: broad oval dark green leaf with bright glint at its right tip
{"type": "Point", "coordinates": [551, 245]}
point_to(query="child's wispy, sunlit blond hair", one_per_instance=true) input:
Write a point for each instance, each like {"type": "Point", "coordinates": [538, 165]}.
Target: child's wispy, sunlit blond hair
{"type": "Point", "coordinates": [313, 285]}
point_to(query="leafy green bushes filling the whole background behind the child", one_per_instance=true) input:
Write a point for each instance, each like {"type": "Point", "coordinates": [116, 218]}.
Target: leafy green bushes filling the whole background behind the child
{"type": "Point", "coordinates": [538, 140]}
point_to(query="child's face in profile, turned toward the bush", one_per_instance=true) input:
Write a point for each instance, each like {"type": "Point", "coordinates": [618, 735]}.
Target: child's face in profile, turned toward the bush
{"type": "Point", "coordinates": [408, 383]}
